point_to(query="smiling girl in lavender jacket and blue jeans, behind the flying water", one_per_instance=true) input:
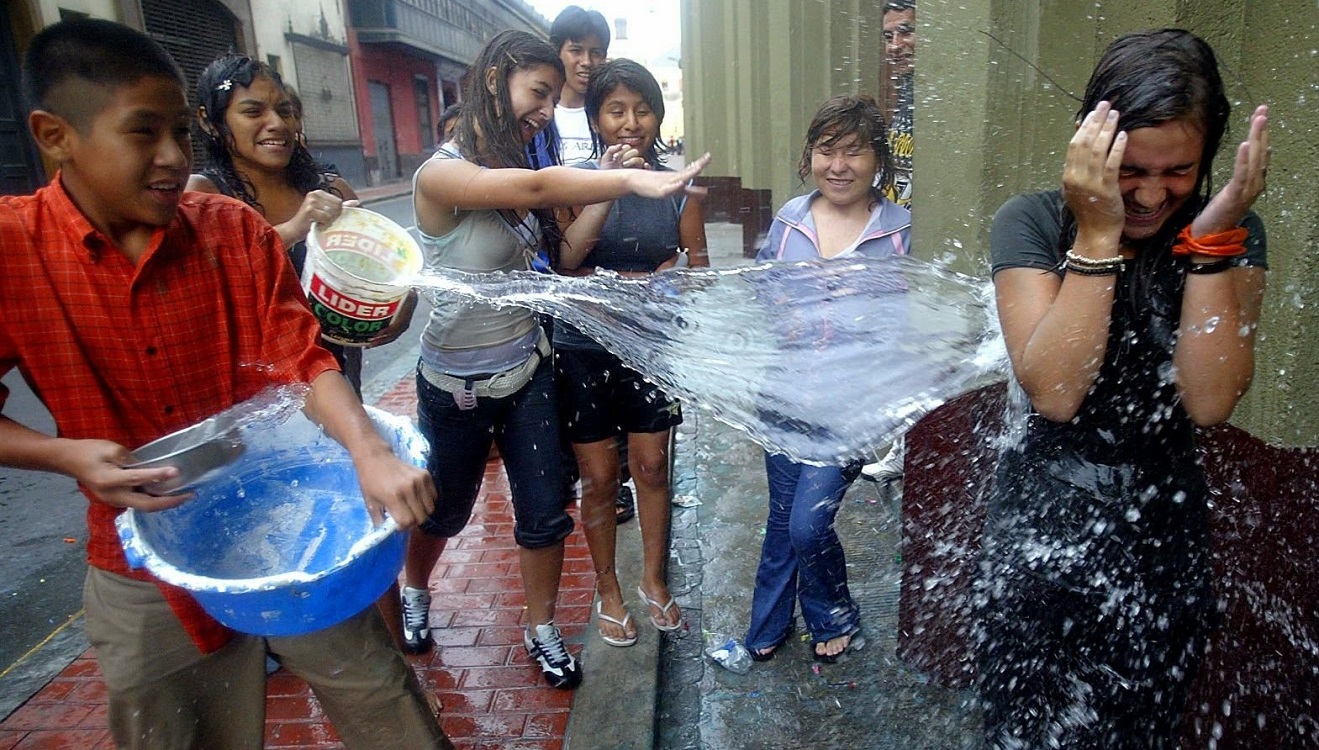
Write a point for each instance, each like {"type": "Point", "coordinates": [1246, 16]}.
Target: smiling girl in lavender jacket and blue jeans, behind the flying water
{"type": "Point", "coordinates": [847, 156]}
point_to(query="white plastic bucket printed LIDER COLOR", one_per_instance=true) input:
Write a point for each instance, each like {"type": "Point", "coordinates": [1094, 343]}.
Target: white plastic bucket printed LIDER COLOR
{"type": "Point", "coordinates": [358, 275]}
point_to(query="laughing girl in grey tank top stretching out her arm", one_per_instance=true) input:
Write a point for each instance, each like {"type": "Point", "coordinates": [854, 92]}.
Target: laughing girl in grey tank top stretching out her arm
{"type": "Point", "coordinates": [481, 379]}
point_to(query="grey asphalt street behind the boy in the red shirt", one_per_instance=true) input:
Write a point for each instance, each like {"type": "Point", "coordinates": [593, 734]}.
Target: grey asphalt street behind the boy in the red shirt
{"type": "Point", "coordinates": [44, 532]}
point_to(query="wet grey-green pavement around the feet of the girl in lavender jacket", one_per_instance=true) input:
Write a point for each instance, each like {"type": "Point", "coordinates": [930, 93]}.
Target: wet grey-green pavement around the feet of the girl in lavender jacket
{"type": "Point", "coordinates": [871, 699]}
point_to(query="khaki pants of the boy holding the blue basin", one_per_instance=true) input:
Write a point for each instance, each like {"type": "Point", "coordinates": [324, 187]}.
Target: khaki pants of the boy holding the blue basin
{"type": "Point", "coordinates": [166, 694]}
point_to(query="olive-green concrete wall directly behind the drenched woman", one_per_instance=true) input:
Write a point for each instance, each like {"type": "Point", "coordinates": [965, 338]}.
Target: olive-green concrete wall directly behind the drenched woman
{"type": "Point", "coordinates": [1008, 126]}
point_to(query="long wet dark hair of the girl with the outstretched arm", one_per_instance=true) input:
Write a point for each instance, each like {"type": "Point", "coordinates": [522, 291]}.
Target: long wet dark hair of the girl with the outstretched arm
{"type": "Point", "coordinates": [491, 115]}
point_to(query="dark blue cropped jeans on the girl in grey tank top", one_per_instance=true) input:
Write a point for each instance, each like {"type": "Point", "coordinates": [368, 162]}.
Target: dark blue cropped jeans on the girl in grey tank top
{"type": "Point", "coordinates": [526, 426]}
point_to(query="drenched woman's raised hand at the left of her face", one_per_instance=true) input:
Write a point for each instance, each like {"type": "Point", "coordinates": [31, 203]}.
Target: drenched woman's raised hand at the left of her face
{"type": "Point", "coordinates": [1090, 175]}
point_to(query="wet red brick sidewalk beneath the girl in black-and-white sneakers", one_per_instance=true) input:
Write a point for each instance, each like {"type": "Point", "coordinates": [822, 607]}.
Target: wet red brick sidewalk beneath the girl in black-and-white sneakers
{"type": "Point", "coordinates": [494, 694]}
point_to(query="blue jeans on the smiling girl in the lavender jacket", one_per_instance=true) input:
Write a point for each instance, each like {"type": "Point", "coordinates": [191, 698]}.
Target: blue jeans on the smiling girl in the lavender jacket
{"type": "Point", "coordinates": [801, 558]}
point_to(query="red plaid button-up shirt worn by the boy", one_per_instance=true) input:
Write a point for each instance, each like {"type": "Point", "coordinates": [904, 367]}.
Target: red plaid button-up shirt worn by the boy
{"type": "Point", "coordinates": [210, 316]}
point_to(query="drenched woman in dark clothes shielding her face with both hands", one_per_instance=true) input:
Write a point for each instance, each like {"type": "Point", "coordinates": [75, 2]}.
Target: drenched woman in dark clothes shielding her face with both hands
{"type": "Point", "coordinates": [1130, 301]}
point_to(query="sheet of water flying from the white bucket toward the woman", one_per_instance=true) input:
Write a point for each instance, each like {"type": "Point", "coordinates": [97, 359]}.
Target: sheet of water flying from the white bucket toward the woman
{"type": "Point", "coordinates": [824, 362]}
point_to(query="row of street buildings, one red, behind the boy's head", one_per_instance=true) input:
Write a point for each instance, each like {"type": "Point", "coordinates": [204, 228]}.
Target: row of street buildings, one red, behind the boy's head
{"type": "Point", "coordinates": [374, 76]}
